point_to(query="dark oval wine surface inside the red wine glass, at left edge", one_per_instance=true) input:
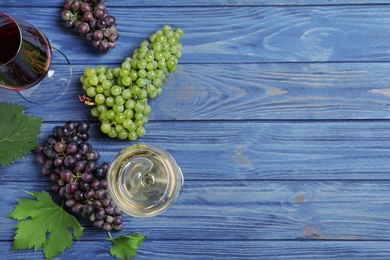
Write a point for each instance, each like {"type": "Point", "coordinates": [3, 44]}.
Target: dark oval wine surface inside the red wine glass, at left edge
{"type": "Point", "coordinates": [10, 41]}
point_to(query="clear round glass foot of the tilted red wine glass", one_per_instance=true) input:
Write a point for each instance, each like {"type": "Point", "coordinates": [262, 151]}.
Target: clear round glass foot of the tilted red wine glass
{"type": "Point", "coordinates": [54, 85]}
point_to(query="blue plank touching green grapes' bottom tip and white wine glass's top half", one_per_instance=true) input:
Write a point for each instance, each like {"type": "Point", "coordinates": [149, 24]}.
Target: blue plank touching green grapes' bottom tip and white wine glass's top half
{"type": "Point", "coordinates": [252, 150]}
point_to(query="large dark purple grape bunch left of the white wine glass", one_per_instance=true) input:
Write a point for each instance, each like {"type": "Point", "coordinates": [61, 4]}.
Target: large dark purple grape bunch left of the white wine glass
{"type": "Point", "coordinates": [72, 164]}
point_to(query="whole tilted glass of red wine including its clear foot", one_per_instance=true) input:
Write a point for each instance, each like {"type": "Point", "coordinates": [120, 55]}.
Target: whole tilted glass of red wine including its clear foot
{"type": "Point", "coordinates": [28, 63]}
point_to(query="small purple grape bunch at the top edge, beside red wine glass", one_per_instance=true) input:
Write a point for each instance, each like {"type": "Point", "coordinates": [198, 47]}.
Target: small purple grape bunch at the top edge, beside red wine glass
{"type": "Point", "coordinates": [90, 19]}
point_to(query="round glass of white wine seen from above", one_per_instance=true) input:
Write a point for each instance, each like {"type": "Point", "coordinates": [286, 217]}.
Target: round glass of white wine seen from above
{"type": "Point", "coordinates": [143, 180]}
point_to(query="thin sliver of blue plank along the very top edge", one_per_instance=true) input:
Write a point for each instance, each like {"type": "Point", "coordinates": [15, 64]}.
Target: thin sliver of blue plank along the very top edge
{"type": "Point", "coordinates": [170, 3]}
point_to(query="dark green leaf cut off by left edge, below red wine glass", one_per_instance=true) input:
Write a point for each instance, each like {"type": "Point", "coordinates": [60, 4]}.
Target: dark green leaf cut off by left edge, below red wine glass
{"type": "Point", "coordinates": [18, 132]}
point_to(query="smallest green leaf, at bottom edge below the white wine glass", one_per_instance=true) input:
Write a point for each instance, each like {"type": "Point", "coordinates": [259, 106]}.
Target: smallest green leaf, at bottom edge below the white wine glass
{"type": "Point", "coordinates": [124, 246]}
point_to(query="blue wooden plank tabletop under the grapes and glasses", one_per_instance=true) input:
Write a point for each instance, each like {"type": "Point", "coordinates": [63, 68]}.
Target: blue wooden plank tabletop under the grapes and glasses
{"type": "Point", "coordinates": [279, 116]}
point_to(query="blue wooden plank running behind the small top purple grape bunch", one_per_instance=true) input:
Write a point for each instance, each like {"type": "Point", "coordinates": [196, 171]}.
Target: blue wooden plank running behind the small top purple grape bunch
{"type": "Point", "coordinates": [238, 34]}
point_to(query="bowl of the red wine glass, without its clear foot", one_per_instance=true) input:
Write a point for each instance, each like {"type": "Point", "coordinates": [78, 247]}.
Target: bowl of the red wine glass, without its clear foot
{"type": "Point", "coordinates": [25, 54]}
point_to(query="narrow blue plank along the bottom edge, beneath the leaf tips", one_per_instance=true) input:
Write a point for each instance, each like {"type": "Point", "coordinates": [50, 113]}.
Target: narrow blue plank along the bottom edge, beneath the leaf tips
{"type": "Point", "coordinates": [236, 249]}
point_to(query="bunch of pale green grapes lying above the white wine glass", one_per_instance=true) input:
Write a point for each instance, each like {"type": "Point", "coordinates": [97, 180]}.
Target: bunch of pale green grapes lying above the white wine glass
{"type": "Point", "coordinates": [119, 95]}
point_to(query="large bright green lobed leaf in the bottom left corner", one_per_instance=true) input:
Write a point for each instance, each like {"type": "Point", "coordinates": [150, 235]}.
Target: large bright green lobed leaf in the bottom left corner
{"type": "Point", "coordinates": [43, 223]}
